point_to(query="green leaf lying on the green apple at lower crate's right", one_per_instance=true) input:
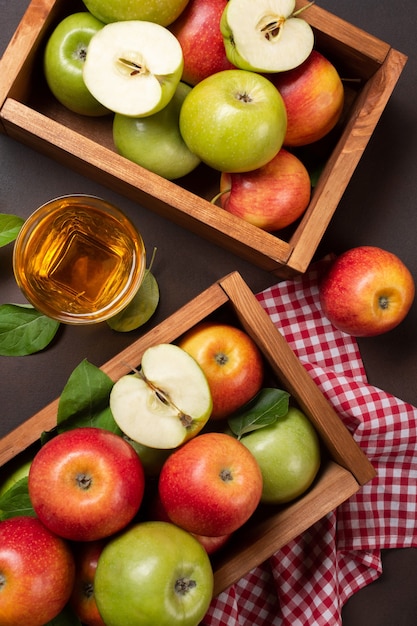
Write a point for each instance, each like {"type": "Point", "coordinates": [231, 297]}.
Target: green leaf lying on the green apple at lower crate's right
{"type": "Point", "coordinates": [267, 406]}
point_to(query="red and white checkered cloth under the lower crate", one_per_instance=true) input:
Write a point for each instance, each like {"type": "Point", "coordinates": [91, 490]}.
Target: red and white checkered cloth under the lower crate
{"type": "Point", "coordinates": [307, 582]}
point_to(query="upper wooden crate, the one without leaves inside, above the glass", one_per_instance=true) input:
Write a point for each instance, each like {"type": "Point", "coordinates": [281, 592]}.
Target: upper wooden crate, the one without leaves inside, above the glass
{"type": "Point", "coordinates": [30, 114]}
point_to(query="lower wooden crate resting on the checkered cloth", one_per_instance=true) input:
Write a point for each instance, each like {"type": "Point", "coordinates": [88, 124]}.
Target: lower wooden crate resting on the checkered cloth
{"type": "Point", "coordinates": [344, 468]}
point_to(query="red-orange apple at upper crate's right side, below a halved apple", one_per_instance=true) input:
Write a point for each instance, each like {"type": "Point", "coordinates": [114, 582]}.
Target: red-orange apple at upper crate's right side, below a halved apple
{"type": "Point", "coordinates": [313, 95]}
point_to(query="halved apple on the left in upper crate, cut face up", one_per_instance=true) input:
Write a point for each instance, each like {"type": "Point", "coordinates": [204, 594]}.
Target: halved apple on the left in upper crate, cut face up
{"type": "Point", "coordinates": [133, 67]}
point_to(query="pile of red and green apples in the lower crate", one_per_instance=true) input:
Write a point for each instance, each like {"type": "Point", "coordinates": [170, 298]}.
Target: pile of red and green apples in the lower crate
{"type": "Point", "coordinates": [124, 525]}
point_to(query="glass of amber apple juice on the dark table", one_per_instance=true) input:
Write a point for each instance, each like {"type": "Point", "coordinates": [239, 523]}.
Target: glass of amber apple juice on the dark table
{"type": "Point", "coordinates": [78, 259]}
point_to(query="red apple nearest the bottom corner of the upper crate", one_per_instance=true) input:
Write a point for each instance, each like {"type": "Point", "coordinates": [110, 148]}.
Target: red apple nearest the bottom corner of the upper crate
{"type": "Point", "coordinates": [271, 197]}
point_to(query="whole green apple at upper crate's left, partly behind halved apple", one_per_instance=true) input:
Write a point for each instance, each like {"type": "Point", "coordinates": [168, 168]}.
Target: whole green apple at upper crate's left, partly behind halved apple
{"type": "Point", "coordinates": [63, 63]}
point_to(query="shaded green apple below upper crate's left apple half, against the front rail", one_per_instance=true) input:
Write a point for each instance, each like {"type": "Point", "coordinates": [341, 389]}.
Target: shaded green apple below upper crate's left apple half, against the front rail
{"type": "Point", "coordinates": [155, 141]}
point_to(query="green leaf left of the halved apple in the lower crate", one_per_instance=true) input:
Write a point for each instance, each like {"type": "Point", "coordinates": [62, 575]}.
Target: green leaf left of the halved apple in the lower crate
{"type": "Point", "coordinates": [85, 400]}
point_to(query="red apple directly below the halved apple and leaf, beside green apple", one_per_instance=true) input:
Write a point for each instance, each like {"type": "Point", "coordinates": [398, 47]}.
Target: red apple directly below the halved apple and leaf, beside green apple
{"type": "Point", "coordinates": [211, 485]}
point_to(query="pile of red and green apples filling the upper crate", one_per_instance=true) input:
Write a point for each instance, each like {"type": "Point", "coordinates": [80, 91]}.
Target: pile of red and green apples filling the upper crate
{"type": "Point", "coordinates": [234, 84]}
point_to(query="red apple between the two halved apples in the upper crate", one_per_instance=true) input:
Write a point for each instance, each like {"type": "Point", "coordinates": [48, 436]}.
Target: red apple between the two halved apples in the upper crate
{"type": "Point", "coordinates": [198, 31]}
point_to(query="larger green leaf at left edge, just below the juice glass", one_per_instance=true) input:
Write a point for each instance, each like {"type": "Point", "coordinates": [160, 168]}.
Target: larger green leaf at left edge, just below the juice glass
{"type": "Point", "coordinates": [24, 330]}
